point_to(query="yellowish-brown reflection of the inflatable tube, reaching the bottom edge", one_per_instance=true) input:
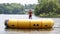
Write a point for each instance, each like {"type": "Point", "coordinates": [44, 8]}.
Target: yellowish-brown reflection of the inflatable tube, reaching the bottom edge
{"type": "Point", "coordinates": [27, 31]}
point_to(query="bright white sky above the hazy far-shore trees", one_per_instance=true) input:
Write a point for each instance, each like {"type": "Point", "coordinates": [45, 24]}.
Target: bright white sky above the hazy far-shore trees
{"type": "Point", "coordinates": [20, 1]}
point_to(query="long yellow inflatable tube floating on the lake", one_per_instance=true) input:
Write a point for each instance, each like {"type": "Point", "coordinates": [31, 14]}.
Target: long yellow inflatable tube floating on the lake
{"type": "Point", "coordinates": [29, 23]}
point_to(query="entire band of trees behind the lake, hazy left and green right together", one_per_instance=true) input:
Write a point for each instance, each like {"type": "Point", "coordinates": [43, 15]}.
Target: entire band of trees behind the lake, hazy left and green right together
{"type": "Point", "coordinates": [44, 8]}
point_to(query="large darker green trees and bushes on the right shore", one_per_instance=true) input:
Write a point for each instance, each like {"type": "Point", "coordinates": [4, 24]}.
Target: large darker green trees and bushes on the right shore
{"type": "Point", "coordinates": [47, 8]}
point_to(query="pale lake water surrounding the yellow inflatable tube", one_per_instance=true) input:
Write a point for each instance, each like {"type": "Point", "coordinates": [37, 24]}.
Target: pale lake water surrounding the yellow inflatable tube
{"type": "Point", "coordinates": [54, 30]}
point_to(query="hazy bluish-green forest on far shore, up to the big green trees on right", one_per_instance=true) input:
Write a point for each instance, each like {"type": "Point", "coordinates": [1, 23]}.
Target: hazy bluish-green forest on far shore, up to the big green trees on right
{"type": "Point", "coordinates": [14, 8]}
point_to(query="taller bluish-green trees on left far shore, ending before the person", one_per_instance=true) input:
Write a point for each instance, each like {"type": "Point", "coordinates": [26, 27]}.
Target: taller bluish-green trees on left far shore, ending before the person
{"type": "Point", "coordinates": [7, 8]}
